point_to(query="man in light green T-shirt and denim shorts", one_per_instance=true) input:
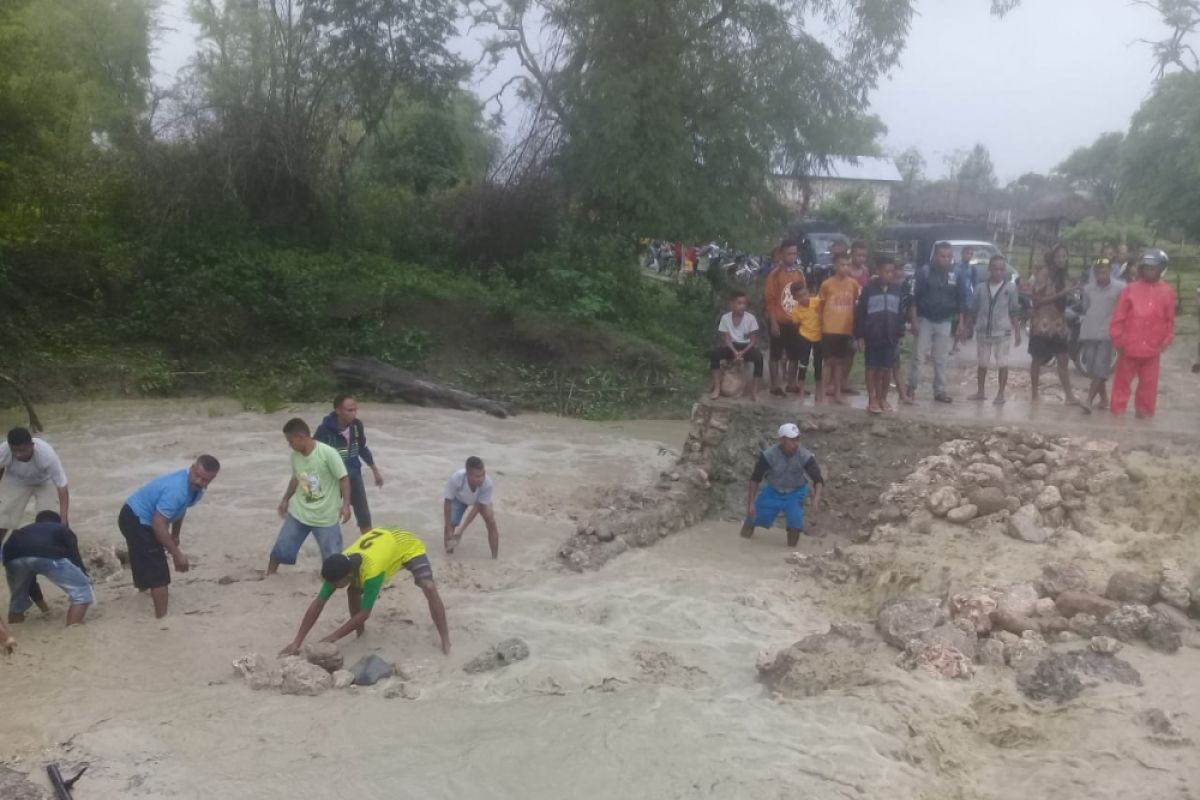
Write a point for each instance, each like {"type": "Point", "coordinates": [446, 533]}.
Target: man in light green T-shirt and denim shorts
{"type": "Point", "coordinates": [313, 504]}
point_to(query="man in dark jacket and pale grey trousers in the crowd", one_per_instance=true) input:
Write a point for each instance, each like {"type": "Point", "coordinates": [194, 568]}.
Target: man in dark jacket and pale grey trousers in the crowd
{"type": "Point", "coordinates": [938, 303]}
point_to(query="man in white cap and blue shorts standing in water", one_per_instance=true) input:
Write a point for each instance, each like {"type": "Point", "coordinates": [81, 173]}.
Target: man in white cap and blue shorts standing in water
{"type": "Point", "coordinates": [788, 468]}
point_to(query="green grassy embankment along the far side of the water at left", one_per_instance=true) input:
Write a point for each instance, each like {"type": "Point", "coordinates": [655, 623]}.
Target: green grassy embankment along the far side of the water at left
{"type": "Point", "coordinates": [263, 326]}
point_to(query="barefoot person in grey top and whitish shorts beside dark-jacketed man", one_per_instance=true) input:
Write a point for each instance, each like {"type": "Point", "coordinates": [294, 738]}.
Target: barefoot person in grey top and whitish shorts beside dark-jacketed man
{"type": "Point", "coordinates": [995, 318]}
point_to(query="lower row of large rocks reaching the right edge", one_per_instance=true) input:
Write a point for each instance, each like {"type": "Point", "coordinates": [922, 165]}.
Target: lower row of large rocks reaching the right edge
{"type": "Point", "coordinates": [1016, 625]}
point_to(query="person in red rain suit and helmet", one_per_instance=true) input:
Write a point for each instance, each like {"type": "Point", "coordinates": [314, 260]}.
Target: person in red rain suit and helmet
{"type": "Point", "coordinates": [1143, 327]}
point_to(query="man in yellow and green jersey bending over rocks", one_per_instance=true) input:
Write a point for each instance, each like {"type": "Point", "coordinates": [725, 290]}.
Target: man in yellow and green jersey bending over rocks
{"type": "Point", "coordinates": [363, 570]}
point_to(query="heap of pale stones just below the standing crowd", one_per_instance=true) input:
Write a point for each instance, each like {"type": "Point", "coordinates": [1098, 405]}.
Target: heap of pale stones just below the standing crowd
{"type": "Point", "coordinates": [1022, 483]}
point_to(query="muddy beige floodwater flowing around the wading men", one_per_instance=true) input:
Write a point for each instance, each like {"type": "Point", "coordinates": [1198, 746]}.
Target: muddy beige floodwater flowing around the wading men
{"type": "Point", "coordinates": [641, 681]}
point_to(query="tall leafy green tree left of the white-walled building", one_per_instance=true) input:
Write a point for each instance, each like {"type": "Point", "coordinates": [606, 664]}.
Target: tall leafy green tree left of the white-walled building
{"type": "Point", "coordinates": [671, 116]}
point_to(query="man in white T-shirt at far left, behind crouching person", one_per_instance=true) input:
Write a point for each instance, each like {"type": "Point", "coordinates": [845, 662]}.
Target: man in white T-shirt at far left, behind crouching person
{"type": "Point", "coordinates": [32, 471]}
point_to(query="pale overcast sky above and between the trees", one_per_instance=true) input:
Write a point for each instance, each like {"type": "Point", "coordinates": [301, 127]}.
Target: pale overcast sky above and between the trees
{"type": "Point", "coordinates": [1033, 87]}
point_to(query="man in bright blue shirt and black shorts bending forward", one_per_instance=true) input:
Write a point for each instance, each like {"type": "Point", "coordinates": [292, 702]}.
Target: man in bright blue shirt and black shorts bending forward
{"type": "Point", "coordinates": [152, 522]}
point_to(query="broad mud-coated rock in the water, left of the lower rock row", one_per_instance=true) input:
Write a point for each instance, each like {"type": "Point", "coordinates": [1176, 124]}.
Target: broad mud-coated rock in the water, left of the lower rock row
{"type": "Point", "coordinates": [818, 664]}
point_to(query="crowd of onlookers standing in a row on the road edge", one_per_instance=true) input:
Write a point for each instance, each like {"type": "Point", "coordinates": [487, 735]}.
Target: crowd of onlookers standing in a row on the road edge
{"type": "Point", "coordinates": [820, 320]}
